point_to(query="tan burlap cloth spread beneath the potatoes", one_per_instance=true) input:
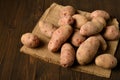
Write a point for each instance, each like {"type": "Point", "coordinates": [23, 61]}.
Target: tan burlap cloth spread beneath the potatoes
{"type": "Point", "coordinates": [52, 15]}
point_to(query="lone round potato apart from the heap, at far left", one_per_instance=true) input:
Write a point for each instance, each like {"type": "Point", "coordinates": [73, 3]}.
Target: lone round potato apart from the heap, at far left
{"type": "Point", "coordinates": [30, 40]}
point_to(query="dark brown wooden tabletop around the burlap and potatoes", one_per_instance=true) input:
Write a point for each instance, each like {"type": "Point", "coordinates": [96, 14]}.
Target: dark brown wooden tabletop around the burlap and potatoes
{"type": "Point", "coordinates": [20, 16]}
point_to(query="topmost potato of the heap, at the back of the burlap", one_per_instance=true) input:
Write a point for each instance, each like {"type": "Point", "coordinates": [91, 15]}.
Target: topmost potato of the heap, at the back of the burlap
{"type": "Point", "coordinates": [67, 11]}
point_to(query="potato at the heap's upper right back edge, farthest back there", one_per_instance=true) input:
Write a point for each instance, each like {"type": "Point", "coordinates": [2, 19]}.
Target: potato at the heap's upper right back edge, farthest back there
{"type": "Point", "coordinates": [100, 13]}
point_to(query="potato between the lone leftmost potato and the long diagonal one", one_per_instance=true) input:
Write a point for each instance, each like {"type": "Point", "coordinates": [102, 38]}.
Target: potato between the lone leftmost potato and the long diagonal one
{"type": "Point", "coordinates": [47, 28]}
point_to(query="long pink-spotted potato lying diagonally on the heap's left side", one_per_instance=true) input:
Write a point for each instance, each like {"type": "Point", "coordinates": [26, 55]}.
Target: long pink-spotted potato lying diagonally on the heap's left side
{"type": "Point", "coordinates": [59, 37]}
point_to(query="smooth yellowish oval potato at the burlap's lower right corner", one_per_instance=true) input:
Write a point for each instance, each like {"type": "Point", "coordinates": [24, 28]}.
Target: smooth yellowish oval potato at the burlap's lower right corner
{"type": "Point", "coordinates": [106, 61]}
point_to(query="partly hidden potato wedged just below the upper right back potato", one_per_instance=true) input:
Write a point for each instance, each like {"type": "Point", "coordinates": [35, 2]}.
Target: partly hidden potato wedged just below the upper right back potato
{"type": "Point", "coordinates": [99, 21]}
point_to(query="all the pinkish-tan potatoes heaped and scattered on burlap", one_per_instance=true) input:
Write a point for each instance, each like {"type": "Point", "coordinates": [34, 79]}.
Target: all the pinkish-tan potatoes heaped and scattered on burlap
{"type": "Point", "coordinates": [78, 37]}
